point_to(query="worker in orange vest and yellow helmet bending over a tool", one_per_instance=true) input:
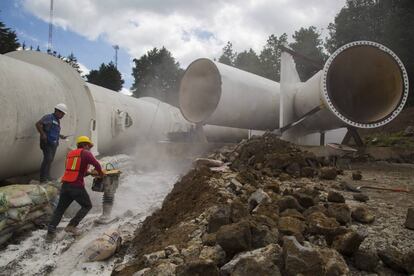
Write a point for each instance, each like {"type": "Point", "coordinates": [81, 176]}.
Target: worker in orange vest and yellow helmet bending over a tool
{"type": "Point", "coordinates": [73, 186]}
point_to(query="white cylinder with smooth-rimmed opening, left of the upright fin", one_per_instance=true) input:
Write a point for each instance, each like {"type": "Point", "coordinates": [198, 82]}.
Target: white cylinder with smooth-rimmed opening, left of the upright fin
{"type": "Point", "coordinates": [217, 94]}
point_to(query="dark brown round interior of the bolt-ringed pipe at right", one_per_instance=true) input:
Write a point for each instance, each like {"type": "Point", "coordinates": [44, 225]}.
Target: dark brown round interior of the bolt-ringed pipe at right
{"type": "Point", "coordinates": [365, 83]}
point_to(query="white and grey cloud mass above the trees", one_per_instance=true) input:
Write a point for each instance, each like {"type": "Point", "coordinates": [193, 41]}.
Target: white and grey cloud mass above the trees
{"type": "Point", "coordinates": [189, 29]}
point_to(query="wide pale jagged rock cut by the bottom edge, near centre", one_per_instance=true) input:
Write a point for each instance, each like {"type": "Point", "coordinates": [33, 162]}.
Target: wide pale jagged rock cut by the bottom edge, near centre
{"type": "Point", "coordinates": [262, 261]}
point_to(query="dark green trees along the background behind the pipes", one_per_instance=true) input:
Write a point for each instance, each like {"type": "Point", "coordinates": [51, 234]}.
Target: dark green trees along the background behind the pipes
{"type": "Point", "coordinates": [157, 73]}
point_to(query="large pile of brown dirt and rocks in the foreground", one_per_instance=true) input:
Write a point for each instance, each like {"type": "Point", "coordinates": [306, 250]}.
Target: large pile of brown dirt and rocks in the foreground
{"type": "Point", "coordinates": [270, 209]}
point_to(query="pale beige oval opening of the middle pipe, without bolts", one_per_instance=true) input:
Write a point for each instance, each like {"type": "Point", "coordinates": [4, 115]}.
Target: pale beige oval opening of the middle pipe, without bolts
{"type": "Point", "coordinates": [200, 90]}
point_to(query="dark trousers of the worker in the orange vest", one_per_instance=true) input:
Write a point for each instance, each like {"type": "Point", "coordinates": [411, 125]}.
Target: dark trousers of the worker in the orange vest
{"type": "Point", "coordinates": [68, 194]}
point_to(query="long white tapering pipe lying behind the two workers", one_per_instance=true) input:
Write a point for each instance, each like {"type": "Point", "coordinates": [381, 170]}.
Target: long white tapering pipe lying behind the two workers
{"type": "Point", "coordinates": [32, 83]}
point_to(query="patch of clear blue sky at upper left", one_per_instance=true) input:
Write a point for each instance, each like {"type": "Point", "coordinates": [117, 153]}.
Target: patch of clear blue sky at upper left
{"type": "Point", "coordinates": [34, 31]}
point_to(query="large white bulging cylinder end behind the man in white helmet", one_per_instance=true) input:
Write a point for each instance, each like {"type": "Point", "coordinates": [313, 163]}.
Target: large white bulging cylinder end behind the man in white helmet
{"type": "Point", "coordinates": [30, 86]}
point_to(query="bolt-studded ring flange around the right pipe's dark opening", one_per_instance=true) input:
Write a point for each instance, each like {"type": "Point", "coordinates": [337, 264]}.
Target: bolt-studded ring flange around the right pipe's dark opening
{"type": "Point", "coordinates": [331, 106]}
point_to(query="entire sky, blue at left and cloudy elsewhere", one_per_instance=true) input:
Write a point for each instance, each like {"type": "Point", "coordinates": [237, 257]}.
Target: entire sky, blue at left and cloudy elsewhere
{"type": "Point", "coordinates": [188, 29]}
